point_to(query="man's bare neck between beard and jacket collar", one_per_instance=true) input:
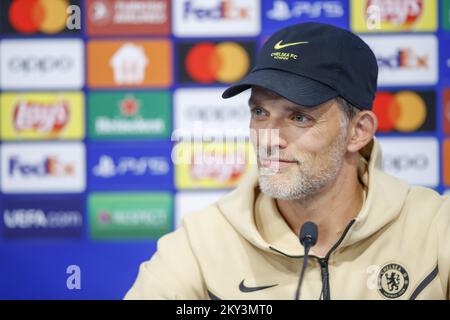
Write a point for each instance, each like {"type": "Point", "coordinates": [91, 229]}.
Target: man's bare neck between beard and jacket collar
{"type": "Point", "coordinates": [332, 209]}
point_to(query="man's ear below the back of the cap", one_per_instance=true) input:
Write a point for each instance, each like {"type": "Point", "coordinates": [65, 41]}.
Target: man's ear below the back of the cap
{"type": "Point", "coordinates": [362, 130]}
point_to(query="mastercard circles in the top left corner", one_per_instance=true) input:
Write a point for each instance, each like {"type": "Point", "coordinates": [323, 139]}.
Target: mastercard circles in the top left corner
{"type": "Point", "coordinates": [31, 16]}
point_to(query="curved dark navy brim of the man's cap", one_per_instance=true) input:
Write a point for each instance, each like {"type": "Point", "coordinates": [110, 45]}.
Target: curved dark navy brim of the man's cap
{"type": "Point", "coordinates": [298, 89]}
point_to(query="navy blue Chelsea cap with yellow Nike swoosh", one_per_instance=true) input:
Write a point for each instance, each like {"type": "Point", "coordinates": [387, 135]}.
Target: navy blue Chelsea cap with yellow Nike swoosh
{"type": "Point", "coordinates": [311, 63]}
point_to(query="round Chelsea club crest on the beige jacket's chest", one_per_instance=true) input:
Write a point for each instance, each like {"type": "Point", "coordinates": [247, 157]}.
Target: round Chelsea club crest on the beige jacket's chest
{"type": "Point", "coordinates": [393, 280]}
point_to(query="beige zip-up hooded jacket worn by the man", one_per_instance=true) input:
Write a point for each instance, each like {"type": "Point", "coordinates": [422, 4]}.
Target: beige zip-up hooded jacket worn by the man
{"type": "Point", "coordinates": [398, 247]}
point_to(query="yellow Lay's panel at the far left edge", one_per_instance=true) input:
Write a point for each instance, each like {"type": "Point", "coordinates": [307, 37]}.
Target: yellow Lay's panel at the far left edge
{"type": "Point", "coordinates": [42, 116]}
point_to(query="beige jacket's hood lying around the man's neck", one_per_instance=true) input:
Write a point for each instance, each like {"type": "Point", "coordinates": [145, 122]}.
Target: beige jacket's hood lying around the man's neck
{"type": "Point", "coordinates": [257, 219]}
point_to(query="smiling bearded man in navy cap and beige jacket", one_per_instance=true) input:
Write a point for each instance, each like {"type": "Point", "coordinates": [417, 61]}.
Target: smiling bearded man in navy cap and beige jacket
{"type": "Point", "coordinates": [378, 238]}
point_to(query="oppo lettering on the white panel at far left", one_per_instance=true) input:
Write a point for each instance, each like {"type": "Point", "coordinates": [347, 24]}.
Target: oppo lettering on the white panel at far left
{"type": "Point", "coordinates": [40, 64]}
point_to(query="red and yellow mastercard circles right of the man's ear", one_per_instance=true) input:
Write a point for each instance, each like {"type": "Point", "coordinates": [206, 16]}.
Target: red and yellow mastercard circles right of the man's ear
{"type": "Point", "coordinates": [404, 111]}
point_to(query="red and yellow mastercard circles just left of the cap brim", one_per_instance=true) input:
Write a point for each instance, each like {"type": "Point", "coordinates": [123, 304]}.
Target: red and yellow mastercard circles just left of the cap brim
{"type": "Point", "coordinates": [216, 62]}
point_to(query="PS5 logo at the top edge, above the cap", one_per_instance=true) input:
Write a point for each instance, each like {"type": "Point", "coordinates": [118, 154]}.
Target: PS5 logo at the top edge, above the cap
{"type": "Point", "coordinates": [305, 9]}
